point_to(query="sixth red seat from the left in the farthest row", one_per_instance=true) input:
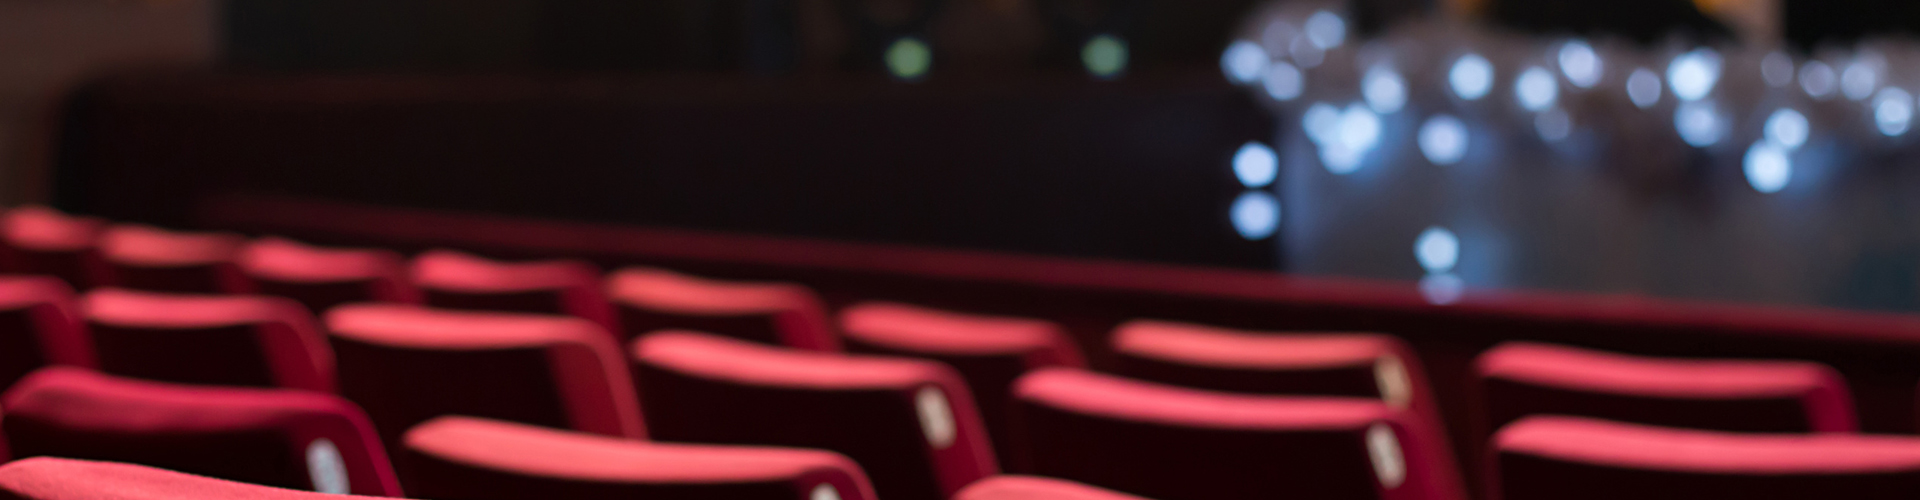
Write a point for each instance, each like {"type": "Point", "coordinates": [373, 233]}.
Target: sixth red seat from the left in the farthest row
{"type": "Point", "coordinates": [988, 351]}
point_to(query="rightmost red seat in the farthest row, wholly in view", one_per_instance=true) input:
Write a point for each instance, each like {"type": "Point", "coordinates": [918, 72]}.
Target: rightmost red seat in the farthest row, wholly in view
{"type": "Point", "coordinates": [1518, 380]}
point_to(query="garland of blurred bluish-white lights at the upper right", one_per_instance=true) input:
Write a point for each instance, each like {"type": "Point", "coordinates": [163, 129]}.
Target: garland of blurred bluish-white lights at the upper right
{"type": "Point", "coordinates": [1293, 51]}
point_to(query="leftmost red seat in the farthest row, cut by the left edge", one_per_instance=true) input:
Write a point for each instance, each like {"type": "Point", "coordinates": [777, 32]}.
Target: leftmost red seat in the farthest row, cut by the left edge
{"type": "Point", "coordinates": [43, 241]}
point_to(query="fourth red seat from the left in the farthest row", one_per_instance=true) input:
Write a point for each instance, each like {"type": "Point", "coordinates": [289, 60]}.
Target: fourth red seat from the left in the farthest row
{"type": "Point", "coordinates": [464, 282]}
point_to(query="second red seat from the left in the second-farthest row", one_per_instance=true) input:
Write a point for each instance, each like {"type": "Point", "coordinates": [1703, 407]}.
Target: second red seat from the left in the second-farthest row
{"type": "Point", "coordinates": [208, 339]}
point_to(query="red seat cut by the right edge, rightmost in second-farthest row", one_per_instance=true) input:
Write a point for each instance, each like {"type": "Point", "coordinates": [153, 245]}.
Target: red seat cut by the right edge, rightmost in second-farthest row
{"type": "Point", "coordinates": [1577, 459]}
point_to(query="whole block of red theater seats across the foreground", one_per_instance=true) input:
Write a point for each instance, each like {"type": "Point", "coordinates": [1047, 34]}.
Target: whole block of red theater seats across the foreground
{"type": "Point", "coordinates": [1199, 414]}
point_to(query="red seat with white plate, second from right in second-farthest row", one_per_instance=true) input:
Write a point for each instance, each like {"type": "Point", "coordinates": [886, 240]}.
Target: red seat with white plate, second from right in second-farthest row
{"type": "Point", "coordinates": [1178, 443]}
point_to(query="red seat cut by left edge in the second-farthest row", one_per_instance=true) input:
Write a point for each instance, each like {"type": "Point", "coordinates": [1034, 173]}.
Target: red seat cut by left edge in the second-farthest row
{"type": "Point", "coordinates": [39, 326]}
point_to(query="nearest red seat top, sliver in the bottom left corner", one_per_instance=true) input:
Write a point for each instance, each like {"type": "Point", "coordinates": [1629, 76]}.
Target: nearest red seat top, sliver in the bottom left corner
{"type": "Point", "coordinates": [82, 480]}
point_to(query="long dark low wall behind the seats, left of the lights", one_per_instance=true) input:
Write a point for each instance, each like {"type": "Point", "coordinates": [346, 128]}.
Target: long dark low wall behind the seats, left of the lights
{"type": "Point", "coordinates": [1053, 164]}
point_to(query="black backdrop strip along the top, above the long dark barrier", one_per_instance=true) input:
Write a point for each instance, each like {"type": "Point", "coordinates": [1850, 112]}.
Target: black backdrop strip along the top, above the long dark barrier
{"type": "Point", "coordinates": [708, 36]}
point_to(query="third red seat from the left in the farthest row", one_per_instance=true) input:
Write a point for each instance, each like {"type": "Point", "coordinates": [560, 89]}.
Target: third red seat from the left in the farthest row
{"type": "Point", "coordinates": [324, 278]}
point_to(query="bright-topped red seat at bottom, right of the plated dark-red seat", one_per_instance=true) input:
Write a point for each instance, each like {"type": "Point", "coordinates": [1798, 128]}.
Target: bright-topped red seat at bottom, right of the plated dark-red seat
{"type": "Point", "coordinates": [494, 461]}
